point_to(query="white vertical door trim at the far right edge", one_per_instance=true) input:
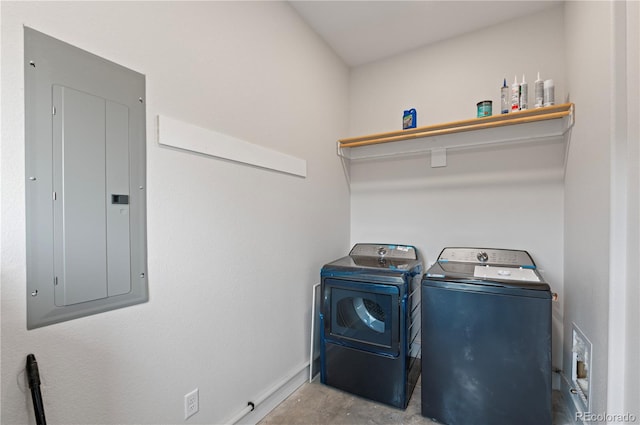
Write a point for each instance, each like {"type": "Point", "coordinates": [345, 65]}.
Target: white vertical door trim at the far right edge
{"type": "Point", "coordinates": [624, 337]}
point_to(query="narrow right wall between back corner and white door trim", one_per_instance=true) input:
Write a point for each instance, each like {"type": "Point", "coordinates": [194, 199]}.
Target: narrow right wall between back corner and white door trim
{"type": "Point", "coordinates": [587, 194]}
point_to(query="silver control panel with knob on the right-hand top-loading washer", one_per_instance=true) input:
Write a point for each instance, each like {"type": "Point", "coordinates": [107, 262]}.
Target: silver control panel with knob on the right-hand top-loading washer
{"type": "Point", "coordinates": [489, 256]}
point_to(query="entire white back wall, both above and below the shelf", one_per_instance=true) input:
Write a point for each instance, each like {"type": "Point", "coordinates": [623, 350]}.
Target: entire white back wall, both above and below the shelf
{"type": "Point", "coordinates": [509, 196]}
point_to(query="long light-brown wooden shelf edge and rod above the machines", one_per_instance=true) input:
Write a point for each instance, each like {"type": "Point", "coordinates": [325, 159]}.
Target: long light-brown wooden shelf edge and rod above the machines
{"type": "Point", "coordinates": [521, 117]}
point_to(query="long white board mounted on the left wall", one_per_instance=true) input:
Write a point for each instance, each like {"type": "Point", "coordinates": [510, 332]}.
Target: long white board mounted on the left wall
{"type": "Point", "coordinates": [181, 135]}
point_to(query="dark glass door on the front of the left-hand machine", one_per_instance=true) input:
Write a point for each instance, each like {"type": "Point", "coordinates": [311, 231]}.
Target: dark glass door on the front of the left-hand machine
{"type": "Point", "coordinates": [364, 315]}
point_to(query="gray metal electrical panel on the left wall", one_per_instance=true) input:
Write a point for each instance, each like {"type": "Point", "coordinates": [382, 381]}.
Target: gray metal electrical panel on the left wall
{"type": "Point", "coordinates": [85, 166]}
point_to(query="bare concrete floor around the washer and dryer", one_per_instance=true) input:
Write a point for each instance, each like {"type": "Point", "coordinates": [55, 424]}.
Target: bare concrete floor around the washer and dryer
{"type": "Point", "coordinates": [314, 403]}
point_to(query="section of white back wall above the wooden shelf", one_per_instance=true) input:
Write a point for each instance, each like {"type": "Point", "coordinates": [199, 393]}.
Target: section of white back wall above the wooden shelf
{"type": "Point", "coordinates": [445, 80]}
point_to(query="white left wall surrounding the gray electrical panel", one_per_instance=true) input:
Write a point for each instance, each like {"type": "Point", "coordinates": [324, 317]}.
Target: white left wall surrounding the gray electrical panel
{"type": "Point", "coordinates": [228, 313]}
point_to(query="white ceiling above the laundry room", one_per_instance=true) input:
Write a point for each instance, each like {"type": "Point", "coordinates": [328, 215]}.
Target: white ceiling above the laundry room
{"type": "Point", "coordinates": [365, 31]}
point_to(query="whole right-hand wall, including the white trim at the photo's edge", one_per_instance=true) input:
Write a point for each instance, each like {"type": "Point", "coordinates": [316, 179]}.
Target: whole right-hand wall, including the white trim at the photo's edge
{"type": "Point", "coordinates": [601, 202]}
